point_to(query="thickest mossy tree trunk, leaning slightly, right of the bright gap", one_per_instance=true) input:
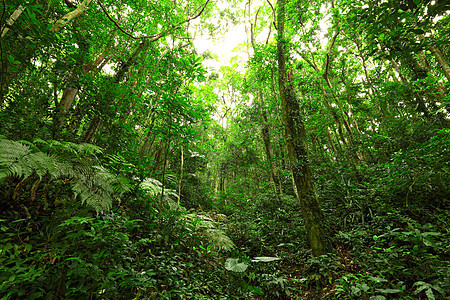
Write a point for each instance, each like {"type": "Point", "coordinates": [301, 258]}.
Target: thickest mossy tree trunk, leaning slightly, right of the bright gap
{"type": "Point", "coordinates": [297, 150]}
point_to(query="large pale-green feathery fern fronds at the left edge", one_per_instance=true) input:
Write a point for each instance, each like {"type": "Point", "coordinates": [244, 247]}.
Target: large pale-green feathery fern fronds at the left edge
{"type": "Point", "coordinates": [92, 184]}
